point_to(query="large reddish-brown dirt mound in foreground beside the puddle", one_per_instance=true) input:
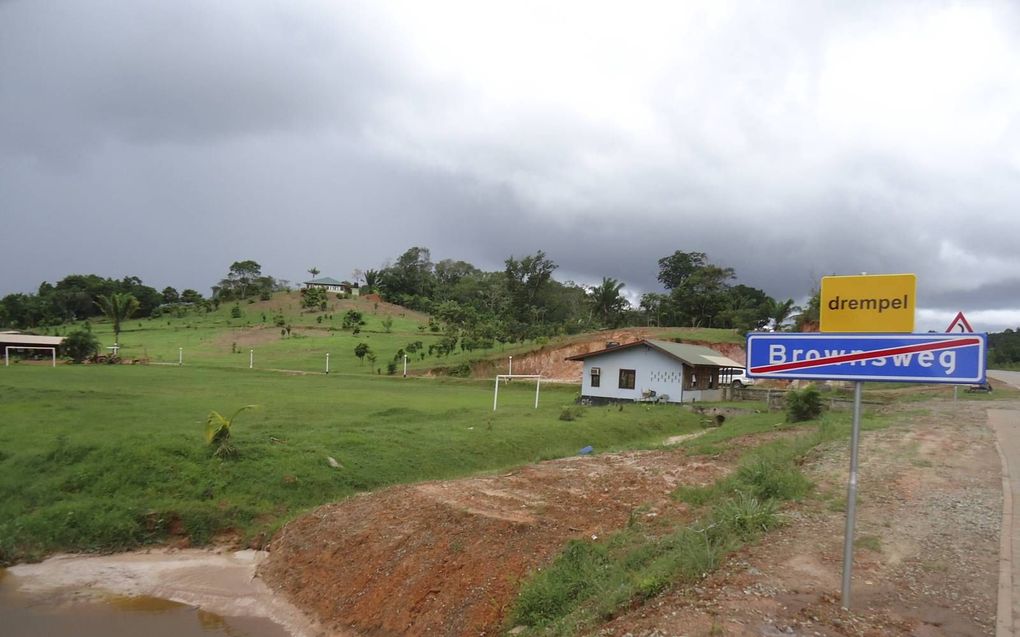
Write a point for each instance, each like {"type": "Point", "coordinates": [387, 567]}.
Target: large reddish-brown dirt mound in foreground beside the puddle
{"type": "Point", "coordinates": [447, 558]}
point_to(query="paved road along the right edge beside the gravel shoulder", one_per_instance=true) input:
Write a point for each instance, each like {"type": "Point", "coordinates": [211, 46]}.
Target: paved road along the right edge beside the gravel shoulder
{"type": "Point", "coordinates": [1006, 424]}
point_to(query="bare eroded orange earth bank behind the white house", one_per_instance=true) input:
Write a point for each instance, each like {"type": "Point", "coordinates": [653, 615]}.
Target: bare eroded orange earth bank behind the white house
{"type": "Point", "coordinates": [551, 362]}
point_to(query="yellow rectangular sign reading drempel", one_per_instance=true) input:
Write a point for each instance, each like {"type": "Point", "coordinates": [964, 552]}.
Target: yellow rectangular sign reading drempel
{"type": "Point", "coordinates": [870, 303]}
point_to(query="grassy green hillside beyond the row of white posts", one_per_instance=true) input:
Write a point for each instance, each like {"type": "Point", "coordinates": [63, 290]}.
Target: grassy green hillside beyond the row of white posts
{"type": "Point", "coordinates": [220, 340]}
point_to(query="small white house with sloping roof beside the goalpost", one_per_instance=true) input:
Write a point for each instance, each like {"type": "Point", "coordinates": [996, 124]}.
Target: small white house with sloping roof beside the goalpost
{"type": "Point", "coordinates": [654, 371]}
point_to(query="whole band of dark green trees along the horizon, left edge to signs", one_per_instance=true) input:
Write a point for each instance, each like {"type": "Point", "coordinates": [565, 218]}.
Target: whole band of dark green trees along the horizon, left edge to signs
{"type": "Point", "coordinates": [470, 309]}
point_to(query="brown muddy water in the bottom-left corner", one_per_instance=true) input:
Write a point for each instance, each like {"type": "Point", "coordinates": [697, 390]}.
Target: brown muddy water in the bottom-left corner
{"type": "Point", "coordinates": [32, 616]}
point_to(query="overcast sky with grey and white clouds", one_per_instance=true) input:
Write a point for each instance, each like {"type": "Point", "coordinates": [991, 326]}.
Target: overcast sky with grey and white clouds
{"type": "Point", "coordinates": [787, 140]}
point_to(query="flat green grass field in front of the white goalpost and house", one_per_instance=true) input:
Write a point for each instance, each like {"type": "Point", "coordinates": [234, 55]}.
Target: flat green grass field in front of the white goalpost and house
{"type": "Point", "coordinates": [104, 458]}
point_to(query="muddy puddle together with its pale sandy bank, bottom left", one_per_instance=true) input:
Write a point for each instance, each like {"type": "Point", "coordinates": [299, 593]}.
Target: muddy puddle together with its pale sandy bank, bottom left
{"type": "Point", "coordinates": [157, 593]}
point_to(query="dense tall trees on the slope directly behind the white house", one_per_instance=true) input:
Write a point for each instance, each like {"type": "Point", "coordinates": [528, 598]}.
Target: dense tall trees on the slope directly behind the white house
{"type": "Point", "coordinates": [525, 301]}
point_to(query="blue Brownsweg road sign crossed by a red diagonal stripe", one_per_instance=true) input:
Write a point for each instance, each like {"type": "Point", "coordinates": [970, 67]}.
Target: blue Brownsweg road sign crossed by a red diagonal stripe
{"type": "Point", "coordinates": [955, 359]}
